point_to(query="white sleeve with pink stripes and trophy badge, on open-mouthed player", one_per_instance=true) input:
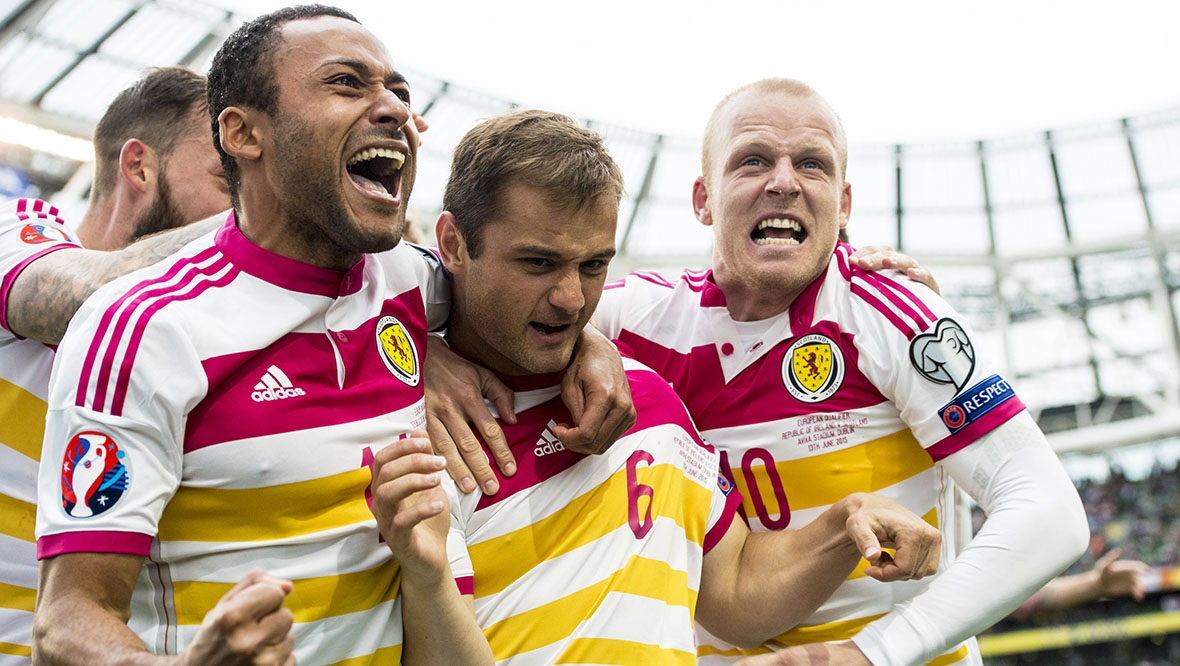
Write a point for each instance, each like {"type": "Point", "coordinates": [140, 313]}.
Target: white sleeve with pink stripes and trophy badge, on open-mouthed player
{"type": "Point", "coordinates": [115, 432]}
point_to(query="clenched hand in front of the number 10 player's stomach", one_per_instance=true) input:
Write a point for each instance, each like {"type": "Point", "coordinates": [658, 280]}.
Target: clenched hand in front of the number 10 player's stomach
{"type": "Point", "coordinates": [876, 523]}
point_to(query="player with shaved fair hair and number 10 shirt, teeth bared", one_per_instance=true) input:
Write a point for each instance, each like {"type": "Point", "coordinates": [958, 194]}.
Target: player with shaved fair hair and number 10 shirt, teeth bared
{"type": "Point", "coordinates": [818, 380]}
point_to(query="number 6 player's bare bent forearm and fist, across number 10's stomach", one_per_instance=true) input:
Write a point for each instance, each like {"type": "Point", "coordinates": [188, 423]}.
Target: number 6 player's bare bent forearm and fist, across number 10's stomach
{"type": "Point", "coordinates": [756, 586]}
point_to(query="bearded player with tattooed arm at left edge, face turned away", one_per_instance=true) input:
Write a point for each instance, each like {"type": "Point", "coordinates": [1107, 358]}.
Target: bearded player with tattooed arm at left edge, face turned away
{"type": "Point", "coordinates": [155, 169]}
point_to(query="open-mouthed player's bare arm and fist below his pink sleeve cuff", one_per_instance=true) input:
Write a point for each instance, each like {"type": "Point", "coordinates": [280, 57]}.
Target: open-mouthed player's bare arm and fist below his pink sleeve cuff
{"type": "Point", "coordinates": [87, 597]}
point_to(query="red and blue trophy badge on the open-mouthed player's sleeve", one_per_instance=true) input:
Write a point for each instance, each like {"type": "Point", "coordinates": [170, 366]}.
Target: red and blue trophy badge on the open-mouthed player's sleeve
{"type": "Point", "coordinates": [94, 475]}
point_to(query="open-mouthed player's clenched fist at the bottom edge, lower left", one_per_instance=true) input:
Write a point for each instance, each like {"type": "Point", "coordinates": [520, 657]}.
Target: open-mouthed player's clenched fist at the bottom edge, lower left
{"type": "Point", "coordinates": [248, 626]}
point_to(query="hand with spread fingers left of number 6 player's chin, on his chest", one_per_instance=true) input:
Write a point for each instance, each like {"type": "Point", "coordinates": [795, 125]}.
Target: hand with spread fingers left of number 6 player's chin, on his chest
{"type": "Point", "coordinates": [455, 399]}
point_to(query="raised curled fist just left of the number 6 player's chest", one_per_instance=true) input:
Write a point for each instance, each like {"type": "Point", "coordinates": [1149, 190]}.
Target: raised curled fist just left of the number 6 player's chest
{"type": "Point", "coordinates": [411, 506]}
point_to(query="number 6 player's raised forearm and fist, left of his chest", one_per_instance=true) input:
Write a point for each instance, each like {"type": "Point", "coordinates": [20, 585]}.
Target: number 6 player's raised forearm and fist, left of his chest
{"type": "Point", "coordinates": [411, 508]}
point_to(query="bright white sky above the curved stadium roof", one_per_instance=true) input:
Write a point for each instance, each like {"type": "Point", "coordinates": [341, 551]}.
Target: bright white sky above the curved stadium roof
{"type": "Point", "coordinates": [899, 71]}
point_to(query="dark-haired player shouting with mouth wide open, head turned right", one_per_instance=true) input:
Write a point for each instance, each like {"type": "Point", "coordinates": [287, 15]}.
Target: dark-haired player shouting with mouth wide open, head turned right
{"type": "Point", "coordinates": [220, 412]}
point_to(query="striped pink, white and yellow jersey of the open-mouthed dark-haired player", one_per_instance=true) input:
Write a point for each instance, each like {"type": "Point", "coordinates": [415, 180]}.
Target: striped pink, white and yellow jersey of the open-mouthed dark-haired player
{"type": "Point", "coordinates": [219, 412]}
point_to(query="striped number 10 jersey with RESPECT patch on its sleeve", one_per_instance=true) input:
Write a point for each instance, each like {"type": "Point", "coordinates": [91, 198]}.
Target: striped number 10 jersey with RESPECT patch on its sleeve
{"type": "Point", "coordinates": [862, 386]}
